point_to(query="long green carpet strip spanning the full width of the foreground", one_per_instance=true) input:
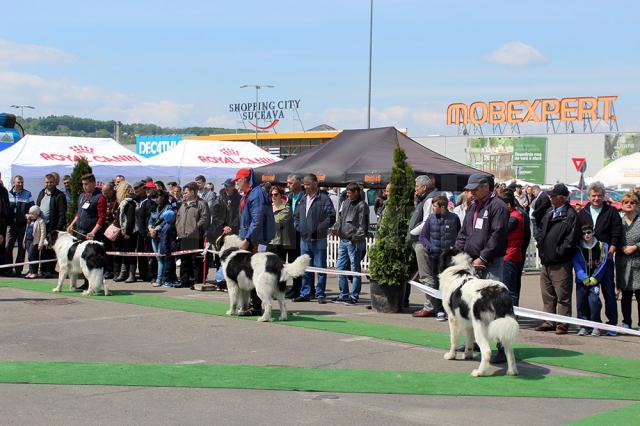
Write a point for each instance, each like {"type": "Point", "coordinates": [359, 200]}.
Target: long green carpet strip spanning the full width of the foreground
{"type": "Point", "coordinates": [318, 380]}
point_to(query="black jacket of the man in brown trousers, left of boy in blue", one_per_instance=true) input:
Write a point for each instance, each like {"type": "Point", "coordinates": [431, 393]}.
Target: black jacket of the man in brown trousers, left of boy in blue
{"type": "Point", "coordinates": [559, 236]}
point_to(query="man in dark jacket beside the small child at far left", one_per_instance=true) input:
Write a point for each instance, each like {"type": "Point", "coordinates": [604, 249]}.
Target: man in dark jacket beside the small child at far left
{"type": "Point", "coordinates": [53, 205]}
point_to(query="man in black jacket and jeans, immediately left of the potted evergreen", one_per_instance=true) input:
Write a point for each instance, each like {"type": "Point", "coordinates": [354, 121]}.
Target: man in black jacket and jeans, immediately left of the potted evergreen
{"type": "Point", "coordinates": [352, 227]}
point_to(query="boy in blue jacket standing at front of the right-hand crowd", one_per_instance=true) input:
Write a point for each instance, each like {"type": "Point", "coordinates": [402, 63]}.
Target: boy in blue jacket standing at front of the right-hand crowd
{"type": "Point", "coordinates": [589, 264]}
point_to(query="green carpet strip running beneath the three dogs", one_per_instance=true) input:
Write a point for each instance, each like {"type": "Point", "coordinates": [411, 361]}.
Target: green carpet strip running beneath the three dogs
{"type": "Point", "coordinates": [597, 363]}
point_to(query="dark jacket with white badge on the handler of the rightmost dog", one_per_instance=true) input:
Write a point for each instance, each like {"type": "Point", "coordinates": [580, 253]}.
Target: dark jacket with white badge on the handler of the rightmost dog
{"type": "Point", "coordinates": [486, 240]}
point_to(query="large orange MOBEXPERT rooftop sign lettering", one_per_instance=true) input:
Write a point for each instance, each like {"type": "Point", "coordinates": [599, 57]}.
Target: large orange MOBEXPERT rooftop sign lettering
{"type": "Point", "coordinates": [523, 111]}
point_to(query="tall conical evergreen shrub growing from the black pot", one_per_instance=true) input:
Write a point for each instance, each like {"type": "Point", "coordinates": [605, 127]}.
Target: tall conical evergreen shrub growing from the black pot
{"type": "Point", "coordinates": [392, 255]}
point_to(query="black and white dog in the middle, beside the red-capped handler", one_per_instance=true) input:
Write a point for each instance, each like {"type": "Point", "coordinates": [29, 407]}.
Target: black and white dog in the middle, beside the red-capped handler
{"type": "Point", "coordinates": [265, 272]}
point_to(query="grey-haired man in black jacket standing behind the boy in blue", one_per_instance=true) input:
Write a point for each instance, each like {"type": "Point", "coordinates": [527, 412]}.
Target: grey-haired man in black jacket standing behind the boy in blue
{"type": "Point", "coordinates": [607, 228]}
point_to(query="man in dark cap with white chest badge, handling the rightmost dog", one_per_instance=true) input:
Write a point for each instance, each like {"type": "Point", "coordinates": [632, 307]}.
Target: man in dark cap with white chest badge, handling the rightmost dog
{"type": "Point", "coordinates": [483, 235]}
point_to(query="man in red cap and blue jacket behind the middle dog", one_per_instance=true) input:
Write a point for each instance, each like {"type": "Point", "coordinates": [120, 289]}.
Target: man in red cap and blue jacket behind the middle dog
{"type": "Point", "coordinates": [257, 224]}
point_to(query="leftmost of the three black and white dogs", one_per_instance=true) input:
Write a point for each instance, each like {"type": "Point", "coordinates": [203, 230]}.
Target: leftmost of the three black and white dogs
{"type": "Point", "coordinates": [77, 258]}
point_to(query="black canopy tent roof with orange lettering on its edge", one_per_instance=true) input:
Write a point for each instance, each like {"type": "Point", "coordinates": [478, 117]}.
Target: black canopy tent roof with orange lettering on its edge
{"type": "Point", "coordinates": [366, 156]}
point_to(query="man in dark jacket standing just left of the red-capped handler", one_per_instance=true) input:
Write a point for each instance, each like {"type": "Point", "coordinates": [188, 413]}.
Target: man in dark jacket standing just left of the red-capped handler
{"type": "Point", "coordinates": [225, 218]}
